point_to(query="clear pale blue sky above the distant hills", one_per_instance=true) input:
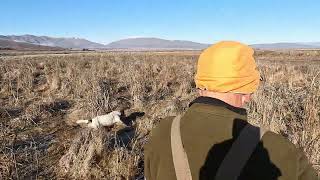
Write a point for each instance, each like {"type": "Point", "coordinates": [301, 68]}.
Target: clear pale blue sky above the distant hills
{"type": "Point", "coordinates": [205, 21]}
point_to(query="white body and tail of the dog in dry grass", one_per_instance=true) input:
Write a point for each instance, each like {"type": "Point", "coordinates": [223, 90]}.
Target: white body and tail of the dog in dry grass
{"type": "Point", "coordinates": [103, 120]}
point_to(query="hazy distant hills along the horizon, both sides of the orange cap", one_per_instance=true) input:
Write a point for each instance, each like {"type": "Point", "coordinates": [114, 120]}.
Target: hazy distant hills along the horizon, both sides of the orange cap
{"type": "Point", "coordinates": [143, 43]}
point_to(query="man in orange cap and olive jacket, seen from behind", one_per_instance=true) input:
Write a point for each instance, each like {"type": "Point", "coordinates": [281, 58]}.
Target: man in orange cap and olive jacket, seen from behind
{"type": "Point", "coordinates": [213, 139]}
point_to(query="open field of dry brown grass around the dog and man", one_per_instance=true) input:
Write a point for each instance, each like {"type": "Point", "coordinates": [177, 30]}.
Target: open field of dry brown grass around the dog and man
{"type": "Point", "coordinates": [41, 97]}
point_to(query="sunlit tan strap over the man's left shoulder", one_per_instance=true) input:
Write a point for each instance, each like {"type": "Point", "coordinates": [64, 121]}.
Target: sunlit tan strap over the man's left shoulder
{"type": "Point", "coordinates": [180, 158]}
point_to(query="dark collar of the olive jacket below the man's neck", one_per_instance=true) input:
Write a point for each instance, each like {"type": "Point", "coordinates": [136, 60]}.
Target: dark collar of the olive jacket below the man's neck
{"type": "Point", "coordinates": [217, 102]}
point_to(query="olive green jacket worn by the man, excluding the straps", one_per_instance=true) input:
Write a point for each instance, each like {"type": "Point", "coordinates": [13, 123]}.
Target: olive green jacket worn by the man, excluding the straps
{"type": "Point", "coordinates": [208, 129]}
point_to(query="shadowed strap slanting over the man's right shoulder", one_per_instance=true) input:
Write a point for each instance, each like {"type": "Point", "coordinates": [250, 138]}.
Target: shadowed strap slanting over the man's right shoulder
{"type": "Point", "coordinates": [240, 152]}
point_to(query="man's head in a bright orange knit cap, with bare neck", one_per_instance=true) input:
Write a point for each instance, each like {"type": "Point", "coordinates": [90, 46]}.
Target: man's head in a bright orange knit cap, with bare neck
{"type": "Point", "coordinates": [227, 71]}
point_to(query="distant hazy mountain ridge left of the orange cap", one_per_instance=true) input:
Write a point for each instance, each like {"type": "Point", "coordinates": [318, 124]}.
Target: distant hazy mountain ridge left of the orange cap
{"type": "Point", "coordinates": [130, 43]}
